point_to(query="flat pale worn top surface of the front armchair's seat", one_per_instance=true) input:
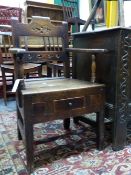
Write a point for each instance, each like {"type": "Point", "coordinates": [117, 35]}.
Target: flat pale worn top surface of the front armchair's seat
{"type": "Point", "coordinates": [43, 85]}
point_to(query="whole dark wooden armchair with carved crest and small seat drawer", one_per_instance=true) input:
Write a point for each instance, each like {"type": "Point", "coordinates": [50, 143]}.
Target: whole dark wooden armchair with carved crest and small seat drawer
{"type": "Point", "coordinates": [46, 99]}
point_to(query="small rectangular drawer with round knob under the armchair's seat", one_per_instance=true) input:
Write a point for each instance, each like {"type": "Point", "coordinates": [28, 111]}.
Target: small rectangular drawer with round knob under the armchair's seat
{"type": "Point", "coordinates": [69, 104]}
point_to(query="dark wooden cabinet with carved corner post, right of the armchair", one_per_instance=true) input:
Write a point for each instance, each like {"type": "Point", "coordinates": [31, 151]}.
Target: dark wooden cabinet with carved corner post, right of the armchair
{"type": "Point", "coordinates": [113, 69]}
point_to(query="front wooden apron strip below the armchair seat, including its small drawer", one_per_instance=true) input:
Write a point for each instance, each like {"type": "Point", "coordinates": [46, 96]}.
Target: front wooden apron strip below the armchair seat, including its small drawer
{"type": "Point", "coordinates": [73, 106]}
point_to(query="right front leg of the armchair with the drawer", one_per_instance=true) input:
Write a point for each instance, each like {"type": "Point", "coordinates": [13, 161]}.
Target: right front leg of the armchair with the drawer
{"type": "Point", "coordinates": [100, 129]}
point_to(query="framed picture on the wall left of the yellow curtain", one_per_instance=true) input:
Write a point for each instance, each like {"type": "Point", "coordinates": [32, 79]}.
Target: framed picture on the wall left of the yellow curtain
{"type": "Point", "coordinates": [99, 18]}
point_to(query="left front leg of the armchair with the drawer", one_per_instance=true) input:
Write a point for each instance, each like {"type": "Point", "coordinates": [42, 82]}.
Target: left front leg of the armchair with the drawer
{"type": "Point", "coordinates": [29, 146]}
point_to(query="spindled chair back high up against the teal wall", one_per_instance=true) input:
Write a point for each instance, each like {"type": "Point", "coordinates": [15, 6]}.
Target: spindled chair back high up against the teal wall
{"type": "Point", "coordinates": [70, 8]}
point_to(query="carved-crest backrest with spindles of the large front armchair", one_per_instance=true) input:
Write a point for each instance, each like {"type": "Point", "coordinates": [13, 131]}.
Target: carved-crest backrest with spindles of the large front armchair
{"type": "Point", "coordinates": [42, 42]}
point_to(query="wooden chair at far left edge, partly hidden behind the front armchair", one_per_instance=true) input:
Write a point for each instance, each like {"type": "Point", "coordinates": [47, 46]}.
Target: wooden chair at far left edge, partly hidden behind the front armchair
{"type": "Point", "coordinates": [7, 62]}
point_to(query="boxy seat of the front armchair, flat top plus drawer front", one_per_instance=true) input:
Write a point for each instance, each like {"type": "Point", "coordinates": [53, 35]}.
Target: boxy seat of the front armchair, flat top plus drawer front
{"type": "Point", "coordinates": [61, 97]}
